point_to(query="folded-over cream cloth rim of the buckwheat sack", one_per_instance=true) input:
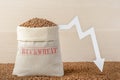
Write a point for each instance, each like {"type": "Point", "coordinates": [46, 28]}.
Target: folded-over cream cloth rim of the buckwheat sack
{"type": "Point", "coordinates": [37, 34]}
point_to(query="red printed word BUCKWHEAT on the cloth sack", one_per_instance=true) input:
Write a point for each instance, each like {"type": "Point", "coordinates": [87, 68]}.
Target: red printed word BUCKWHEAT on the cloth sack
{"type": "Point", "coordinates": [37, 50]}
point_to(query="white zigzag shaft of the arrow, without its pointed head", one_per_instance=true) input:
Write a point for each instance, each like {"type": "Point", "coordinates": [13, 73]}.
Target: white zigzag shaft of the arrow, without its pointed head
{"type": "Point", "coordinates": [82, 34]}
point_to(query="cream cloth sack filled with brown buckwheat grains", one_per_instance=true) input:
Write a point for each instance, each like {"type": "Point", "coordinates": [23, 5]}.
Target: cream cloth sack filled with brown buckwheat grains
{"type": "Point", "coordinates": [38, 49]}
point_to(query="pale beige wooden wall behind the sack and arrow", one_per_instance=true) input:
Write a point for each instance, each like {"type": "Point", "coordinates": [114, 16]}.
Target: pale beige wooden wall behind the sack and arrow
{"type": "Point", "coordinates": [103, 15]}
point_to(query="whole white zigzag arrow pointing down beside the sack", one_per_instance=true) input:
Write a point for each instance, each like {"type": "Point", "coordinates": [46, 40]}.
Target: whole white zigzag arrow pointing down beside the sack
{"type": "Point", "coordinates": [99, 61]}
